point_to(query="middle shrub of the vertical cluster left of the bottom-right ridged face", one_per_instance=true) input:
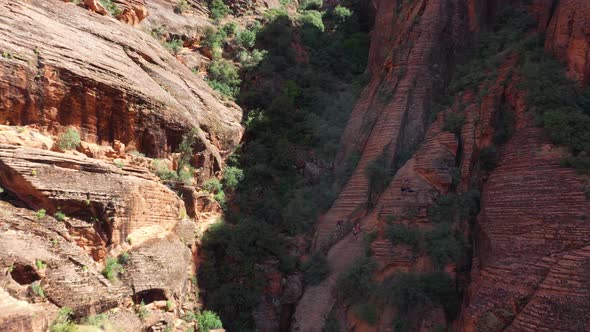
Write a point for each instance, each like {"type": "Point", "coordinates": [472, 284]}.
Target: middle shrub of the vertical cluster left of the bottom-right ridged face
{"type": "Point", "coordinates": [444, 246]}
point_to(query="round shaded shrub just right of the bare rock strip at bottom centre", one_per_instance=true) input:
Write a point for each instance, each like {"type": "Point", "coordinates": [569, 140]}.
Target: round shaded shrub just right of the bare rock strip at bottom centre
{"type": "Point", "coordinates": [357, 283]}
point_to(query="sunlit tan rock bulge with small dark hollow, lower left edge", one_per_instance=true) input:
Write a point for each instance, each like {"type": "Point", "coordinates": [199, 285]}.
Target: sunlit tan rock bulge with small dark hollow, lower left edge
{"type": "Point", "coordinates": [27, 239]}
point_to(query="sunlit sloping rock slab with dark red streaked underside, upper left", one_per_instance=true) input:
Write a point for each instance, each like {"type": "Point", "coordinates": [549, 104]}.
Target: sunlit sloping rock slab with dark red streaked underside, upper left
{"type": "Point", "coordinates": [63, 65]}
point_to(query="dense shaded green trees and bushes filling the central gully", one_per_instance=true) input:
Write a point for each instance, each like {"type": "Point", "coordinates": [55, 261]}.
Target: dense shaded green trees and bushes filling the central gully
{"type": "Point", "coordinates": [299, 99]}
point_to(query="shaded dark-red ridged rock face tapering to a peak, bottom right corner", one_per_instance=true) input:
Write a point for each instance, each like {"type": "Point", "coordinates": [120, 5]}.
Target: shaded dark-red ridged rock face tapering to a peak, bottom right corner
{"type": "Point", "coordinates": [530, 260]}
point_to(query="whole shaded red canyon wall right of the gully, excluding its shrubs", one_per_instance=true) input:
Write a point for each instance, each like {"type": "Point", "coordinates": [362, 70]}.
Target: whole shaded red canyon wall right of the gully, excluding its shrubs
{"type": "Point", "coordinates": [529, 239]}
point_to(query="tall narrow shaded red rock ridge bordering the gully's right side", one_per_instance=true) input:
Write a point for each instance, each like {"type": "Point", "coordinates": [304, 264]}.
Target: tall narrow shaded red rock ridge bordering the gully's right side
{"type": "Point", "coordinates": [413, 46]}
